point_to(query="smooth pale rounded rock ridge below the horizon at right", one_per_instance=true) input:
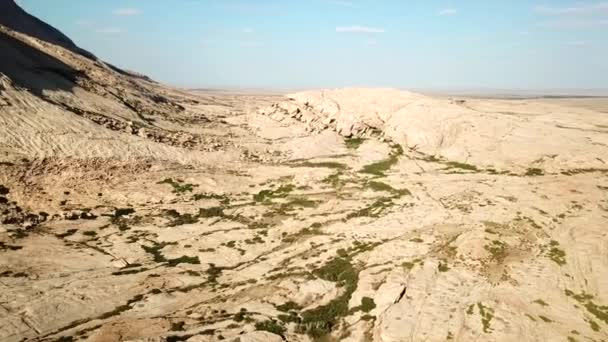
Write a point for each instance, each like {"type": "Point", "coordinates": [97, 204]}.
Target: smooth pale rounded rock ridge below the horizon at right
{"type": "Point", "coordinates": [453, 129]}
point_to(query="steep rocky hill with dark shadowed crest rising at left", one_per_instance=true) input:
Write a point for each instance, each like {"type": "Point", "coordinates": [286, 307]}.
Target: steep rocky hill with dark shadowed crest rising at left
{"type": "Point", "coordinates": [49, 84]}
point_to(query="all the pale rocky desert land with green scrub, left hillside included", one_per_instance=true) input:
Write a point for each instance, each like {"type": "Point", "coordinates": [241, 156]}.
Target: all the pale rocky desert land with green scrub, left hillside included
{"type": "Point", "coordinates": [133, 211]}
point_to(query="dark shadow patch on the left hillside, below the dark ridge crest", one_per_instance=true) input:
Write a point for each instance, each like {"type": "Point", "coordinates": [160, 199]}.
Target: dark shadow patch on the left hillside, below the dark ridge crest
{"type": "Point", "coordinates": [33, 69]}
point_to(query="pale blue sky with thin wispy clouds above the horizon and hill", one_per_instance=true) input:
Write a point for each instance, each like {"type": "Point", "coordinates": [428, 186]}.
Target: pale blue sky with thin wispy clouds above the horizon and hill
{"type": "Point", "coordinates": [290, 44]}
